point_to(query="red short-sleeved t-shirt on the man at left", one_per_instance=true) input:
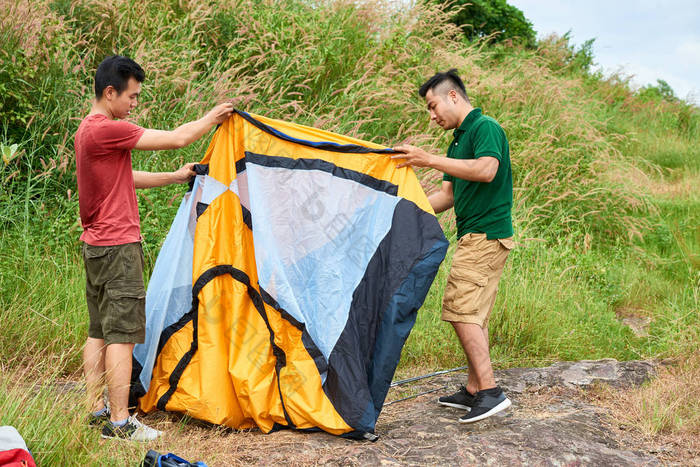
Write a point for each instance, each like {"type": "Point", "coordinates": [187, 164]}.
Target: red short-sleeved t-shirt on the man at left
{"type": "Point", "coordinates": [109, 211]}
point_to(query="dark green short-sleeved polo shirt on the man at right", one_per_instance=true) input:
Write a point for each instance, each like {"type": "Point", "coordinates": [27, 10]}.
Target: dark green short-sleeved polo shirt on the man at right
{"type": "Point", "coordinates": [482, 207]}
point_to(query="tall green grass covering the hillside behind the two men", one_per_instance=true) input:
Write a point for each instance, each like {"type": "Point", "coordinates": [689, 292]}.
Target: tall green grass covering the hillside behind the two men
{"type": "Point", "coordinates": [347, 67]}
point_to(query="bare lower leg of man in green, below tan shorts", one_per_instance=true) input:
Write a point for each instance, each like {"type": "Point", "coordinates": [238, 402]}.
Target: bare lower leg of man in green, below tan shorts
{"type": "Point", "coordinates": [474, 340]}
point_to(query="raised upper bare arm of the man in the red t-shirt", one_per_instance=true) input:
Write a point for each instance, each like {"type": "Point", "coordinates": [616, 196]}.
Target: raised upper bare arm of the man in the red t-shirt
{"type": "Point", "coordinates": [153, 140]}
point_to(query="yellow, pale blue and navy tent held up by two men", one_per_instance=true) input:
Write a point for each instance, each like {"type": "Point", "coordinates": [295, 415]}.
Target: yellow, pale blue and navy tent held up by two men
{"type": "Point", "coordinates": [288, 283]}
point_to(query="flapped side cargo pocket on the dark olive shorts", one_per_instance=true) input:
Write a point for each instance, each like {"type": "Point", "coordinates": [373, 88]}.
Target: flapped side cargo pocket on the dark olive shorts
{"type": "Point", "coordinates": [127, 306]}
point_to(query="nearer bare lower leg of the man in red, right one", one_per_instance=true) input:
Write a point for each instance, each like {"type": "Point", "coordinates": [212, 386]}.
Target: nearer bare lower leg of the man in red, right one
{"type": "Point", "coordinates": [118, 374]}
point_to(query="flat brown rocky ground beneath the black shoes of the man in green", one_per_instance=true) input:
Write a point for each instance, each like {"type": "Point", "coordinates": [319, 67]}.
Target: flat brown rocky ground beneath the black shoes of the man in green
{"type": "Point", "coordinates": [548, 424]}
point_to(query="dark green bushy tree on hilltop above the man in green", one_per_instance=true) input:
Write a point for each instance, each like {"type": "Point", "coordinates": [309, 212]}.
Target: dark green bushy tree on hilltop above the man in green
{"type": "Point", "coordinates": [481, 18]}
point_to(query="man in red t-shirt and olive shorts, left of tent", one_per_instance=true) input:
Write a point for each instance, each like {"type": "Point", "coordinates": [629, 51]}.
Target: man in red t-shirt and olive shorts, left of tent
{"type": "Point", "coordinates": [111, 234]}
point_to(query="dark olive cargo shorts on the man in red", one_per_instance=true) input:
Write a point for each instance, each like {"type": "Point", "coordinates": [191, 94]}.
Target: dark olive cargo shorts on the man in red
{"type": "Point", "coordinates": [116, 297]}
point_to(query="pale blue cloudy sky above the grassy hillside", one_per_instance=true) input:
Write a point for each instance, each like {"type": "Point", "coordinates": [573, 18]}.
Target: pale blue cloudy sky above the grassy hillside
{"type": "Point", "coordinates": [650, 39]}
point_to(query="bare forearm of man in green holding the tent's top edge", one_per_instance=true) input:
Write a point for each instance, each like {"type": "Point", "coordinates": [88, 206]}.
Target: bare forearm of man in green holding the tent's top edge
{"type": "Point", "coordinates": [482, 169]}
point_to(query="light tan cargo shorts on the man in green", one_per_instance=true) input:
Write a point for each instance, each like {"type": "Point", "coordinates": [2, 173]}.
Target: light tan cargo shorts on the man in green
{"type": "Point", "coordinates": [472, 284]}
